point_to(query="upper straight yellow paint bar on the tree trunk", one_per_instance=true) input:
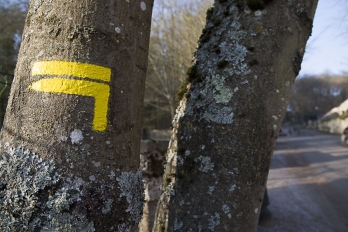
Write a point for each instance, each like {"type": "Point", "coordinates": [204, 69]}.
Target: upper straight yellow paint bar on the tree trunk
{"type": "Point", "coordinates": [82, 70]}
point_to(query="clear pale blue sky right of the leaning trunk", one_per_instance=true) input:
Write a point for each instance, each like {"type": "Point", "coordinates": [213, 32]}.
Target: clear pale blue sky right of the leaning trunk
{"type": "Point", "coordinates": [327, 48]}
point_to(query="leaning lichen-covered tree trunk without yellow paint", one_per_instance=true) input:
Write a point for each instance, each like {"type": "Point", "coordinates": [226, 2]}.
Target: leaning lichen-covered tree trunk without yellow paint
{"type": "Point", "coordinates": [227, 123]}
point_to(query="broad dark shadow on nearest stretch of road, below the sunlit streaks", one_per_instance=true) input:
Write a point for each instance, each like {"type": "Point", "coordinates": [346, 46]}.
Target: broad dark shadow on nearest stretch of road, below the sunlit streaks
{"type": "Point", "coordinates": [315, 207]}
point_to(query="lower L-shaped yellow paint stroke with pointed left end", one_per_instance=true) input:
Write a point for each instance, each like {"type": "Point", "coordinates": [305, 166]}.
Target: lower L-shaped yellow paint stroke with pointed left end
{"type": "Point", "coordinates": [99, 91]}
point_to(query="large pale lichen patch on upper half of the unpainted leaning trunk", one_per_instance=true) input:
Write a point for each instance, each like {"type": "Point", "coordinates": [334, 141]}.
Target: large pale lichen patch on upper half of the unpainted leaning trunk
{"type": "Point", "coordinates": [211, 99]}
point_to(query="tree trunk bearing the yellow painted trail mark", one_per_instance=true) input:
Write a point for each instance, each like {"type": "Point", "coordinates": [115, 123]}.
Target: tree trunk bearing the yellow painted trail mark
{"type": "Point", "coordinates": [76, 103]}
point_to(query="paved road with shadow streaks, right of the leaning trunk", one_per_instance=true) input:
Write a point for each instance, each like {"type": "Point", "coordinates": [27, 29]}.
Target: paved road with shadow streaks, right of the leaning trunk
{"type": "Point", "coordinates": [308, 184]}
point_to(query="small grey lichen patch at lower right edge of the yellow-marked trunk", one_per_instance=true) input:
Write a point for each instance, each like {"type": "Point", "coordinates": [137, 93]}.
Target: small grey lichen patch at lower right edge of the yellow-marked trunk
{"type": "Point", "coordinates": [132, 188]}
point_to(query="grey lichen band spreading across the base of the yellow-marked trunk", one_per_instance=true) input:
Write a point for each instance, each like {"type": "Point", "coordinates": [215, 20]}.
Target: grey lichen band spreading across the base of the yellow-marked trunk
{"type": "Point", "coordinates": [34, 196]}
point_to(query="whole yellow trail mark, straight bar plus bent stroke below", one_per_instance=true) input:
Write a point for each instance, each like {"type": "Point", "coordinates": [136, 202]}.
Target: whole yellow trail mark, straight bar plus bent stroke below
{"type": "Point", "coordinates": [99, 91]}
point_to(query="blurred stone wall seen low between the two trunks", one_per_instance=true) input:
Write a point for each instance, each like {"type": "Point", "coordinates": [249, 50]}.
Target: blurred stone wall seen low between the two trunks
{"type": "Point", "coordinates": [152, 160]}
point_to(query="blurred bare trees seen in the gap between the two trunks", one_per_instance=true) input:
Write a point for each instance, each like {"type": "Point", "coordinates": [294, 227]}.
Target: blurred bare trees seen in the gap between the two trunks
{"type": "Point", "coordinates": [176, 26]}
